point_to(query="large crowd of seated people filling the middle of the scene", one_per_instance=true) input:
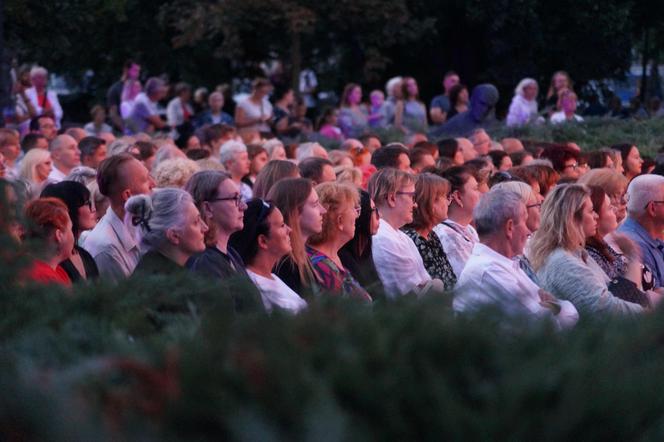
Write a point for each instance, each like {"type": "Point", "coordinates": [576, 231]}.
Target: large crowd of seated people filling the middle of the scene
{"type": "Point", "coordinates": [543, 230]}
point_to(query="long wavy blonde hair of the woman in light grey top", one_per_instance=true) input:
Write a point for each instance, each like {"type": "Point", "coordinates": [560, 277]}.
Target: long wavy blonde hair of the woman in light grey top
{"type": "Point", "coordinates": [561, 223]}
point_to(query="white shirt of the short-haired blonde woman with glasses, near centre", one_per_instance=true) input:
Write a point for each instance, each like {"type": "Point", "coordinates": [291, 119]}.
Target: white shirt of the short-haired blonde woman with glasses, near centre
{"type": "Point", "coordinates": [397, 260]}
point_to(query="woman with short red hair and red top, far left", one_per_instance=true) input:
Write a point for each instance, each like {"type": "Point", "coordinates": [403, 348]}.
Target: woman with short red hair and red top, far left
{"type": "Point", "coordinates": [49, 236]}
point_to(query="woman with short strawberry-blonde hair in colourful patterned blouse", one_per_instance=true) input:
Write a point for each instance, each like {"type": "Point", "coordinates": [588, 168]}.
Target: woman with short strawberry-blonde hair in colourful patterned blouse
{"type": "Point", "coordinates": [342, 208]}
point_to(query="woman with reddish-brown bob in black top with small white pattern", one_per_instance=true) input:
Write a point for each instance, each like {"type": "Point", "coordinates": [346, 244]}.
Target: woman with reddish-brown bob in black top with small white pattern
{"type": "Point", "coordinates": [432, 198]}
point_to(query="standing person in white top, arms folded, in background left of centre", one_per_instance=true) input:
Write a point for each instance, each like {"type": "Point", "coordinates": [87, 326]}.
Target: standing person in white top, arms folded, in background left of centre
{"type": "Point", "coordinates": [254, 113]}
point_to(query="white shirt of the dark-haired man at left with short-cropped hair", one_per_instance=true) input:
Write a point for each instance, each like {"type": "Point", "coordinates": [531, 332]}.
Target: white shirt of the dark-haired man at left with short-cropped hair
{"type": "Point", "coordinates": [113, 246]}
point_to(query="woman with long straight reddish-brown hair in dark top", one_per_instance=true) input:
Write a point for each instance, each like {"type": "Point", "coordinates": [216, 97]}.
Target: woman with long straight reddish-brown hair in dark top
{"type": "Point", "coordinates": [298, 201]}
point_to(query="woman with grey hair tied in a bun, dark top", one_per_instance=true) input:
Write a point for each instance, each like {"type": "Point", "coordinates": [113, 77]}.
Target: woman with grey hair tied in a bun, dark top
{"type": "Point", "coordinates": [170, 229]}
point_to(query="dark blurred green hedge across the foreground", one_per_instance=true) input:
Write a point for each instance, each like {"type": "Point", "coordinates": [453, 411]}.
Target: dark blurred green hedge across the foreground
{"type": "Point", "coordinates": [167, 359]}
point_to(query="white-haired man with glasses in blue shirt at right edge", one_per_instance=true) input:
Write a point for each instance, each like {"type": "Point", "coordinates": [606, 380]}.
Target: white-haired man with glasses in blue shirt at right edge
{"type": "Point", "coordinates": [645, 222]}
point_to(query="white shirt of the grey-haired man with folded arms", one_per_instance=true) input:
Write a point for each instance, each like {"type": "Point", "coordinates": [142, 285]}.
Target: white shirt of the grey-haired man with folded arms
{"type": "Point", "coordinates": [492, 278]}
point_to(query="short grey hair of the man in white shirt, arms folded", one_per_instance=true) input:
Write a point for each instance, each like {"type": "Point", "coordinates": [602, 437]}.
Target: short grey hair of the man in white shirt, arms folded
{"type": "Point", "coordinates": [494, 209]}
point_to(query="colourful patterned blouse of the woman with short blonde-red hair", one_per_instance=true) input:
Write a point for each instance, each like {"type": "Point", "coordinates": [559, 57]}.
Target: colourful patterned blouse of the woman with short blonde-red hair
{"type": "Point", "coordinates": [333, 279]}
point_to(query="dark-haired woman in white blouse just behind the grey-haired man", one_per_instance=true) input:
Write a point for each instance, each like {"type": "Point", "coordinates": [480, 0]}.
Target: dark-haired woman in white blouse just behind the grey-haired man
{"type": "Point", "coordinates": [456, 234]}
